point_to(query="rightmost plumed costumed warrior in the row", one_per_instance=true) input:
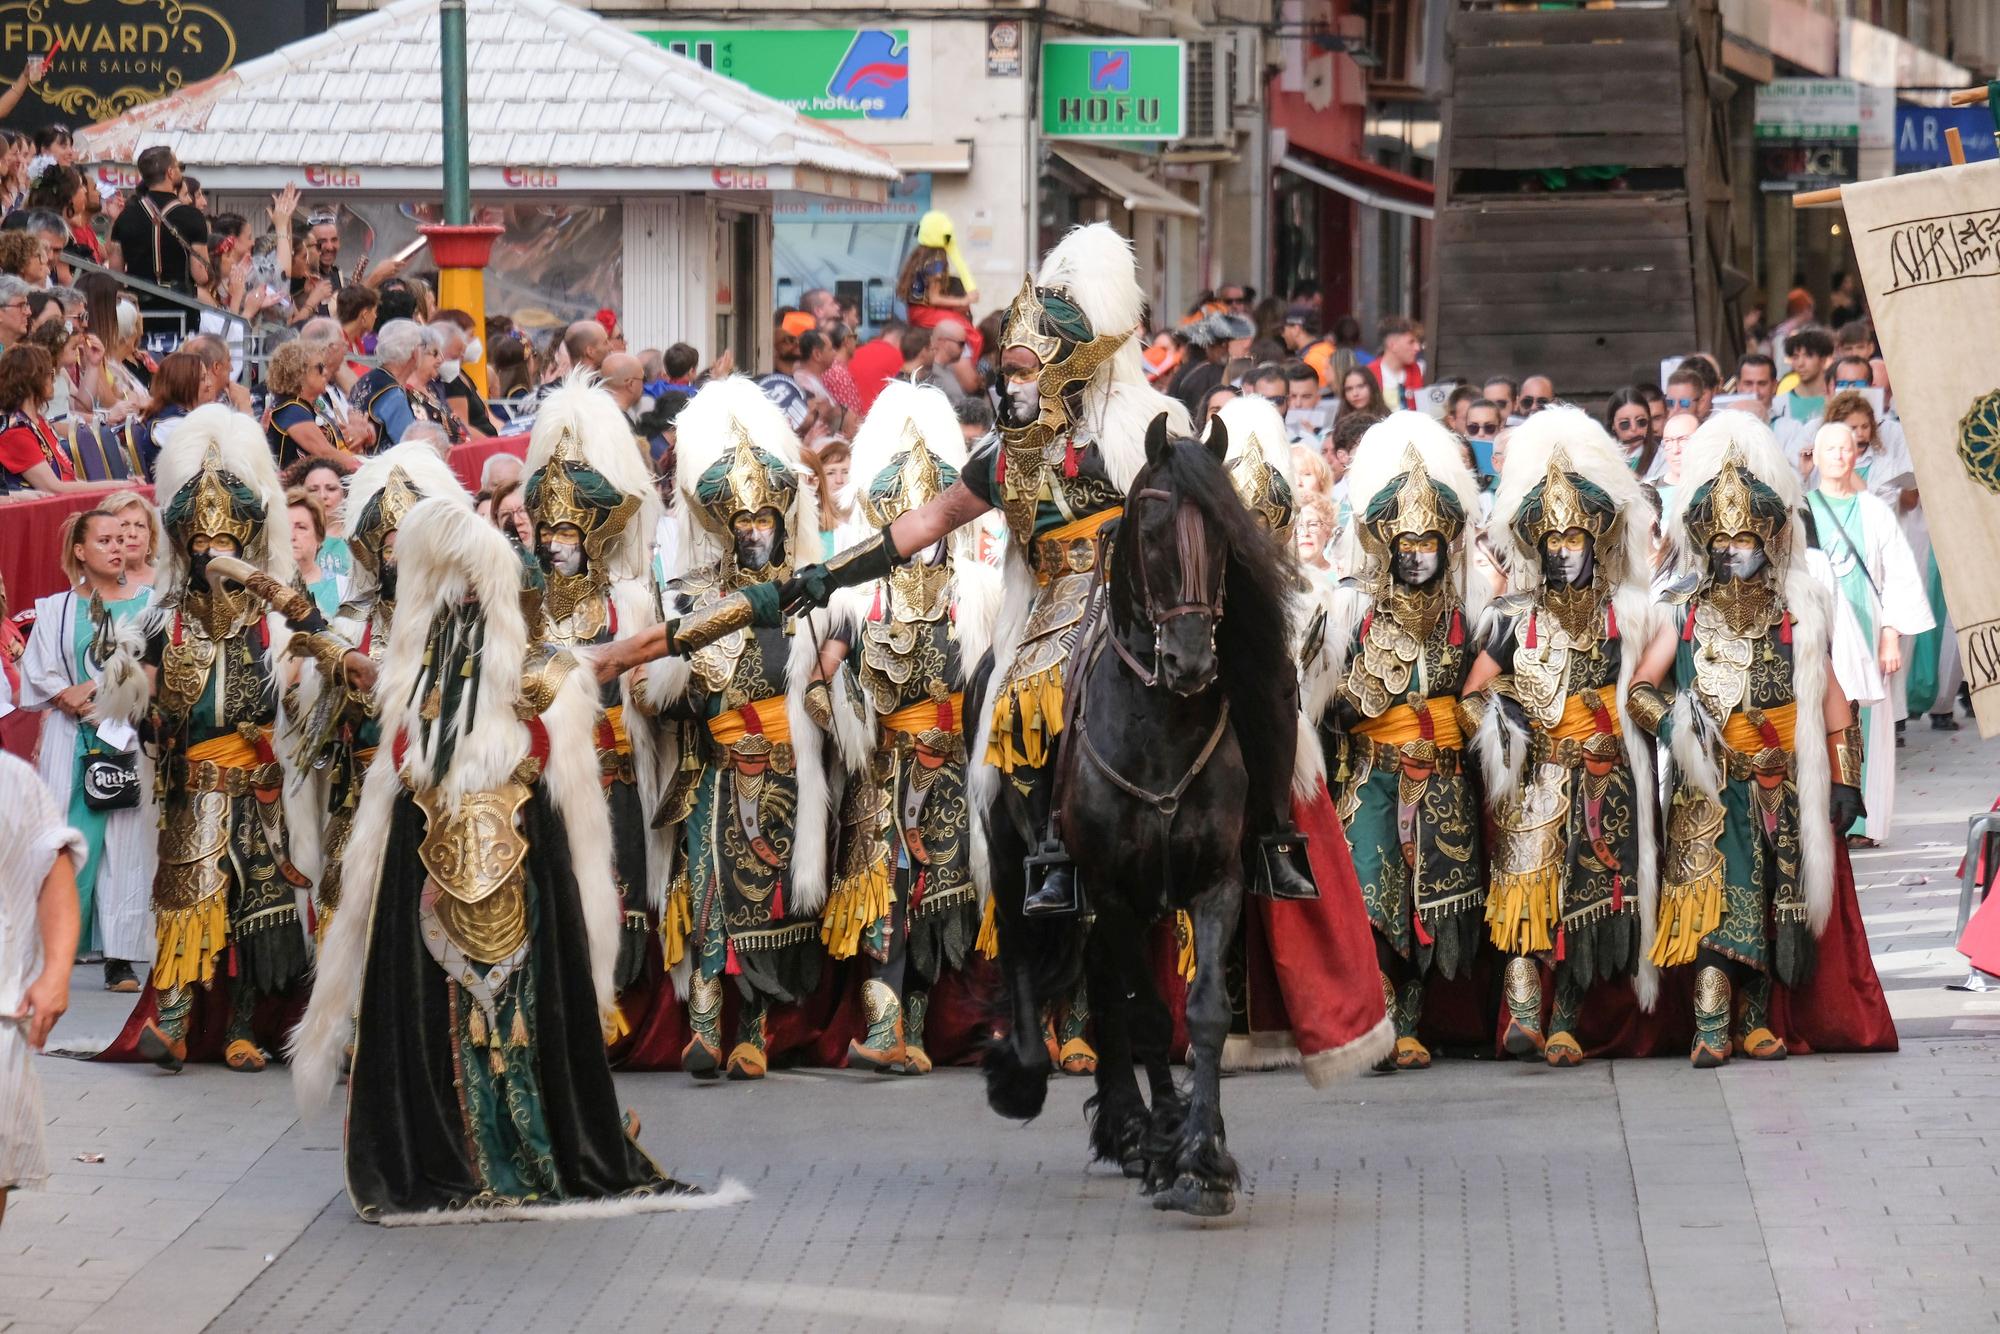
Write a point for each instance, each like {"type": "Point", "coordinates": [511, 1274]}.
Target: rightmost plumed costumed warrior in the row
{"type": "Point", "coordinates": [1755, 789]}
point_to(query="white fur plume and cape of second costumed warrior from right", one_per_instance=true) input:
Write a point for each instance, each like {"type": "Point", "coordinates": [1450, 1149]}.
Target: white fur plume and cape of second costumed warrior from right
{"type": "Point", "coordinates": [1501, 749]}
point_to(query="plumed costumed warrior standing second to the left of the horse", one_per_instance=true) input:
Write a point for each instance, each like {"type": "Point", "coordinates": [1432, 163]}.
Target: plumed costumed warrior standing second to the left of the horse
{"type": "Point", "coordinates": [749, 807]}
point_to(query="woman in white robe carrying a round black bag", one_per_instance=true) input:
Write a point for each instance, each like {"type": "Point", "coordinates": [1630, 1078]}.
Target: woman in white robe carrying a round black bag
{"type": "Point", "coordinates": [61, 675]}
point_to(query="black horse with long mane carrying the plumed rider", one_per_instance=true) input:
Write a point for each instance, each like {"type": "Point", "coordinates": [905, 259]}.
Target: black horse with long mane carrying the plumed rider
{"type": "Point", "coordinates": [1173, 687]}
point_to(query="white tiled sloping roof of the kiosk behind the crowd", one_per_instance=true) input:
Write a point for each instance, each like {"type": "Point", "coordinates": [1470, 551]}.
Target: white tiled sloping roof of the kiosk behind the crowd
{"type": "Point", "coordinates": [557, 99]}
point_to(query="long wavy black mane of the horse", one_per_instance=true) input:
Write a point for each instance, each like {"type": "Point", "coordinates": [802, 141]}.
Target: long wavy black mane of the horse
{"type": "Point", "coordinates": [1253, 643]}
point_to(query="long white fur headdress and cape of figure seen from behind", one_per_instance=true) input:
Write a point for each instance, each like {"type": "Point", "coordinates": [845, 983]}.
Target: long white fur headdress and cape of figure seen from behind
{"type": "Point", "coordinates": [445, 555]}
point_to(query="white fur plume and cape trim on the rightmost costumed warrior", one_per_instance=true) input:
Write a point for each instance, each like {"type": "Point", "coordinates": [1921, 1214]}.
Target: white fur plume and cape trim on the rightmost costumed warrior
{"type": "Point", "coordinates": [1811, 605]}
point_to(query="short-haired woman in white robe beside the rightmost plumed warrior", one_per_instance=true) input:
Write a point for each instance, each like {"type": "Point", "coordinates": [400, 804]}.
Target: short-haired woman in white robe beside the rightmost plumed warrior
{"type": "Point", "coordinates": [1877, 577]}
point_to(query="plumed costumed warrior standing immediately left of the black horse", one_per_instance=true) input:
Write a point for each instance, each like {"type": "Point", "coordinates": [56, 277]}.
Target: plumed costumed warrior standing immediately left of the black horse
{"type": "Point", "coordinates": [891, 691]}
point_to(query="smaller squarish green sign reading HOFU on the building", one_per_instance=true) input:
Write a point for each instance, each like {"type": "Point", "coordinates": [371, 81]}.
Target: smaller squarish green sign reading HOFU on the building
{"type": "Point", "coordinates": [1115, 89]}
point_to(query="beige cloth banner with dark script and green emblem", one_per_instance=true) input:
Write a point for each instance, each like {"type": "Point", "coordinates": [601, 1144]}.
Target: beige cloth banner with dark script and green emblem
{"type": "Point", "coordinates": [1929, 251]}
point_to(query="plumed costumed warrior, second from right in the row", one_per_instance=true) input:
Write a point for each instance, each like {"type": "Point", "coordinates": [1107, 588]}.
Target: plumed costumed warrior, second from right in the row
{"type": "Point", "coordinates": [1569, 769]}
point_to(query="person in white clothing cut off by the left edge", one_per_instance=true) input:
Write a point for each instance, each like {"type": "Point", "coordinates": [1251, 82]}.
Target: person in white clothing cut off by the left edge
{"type": "Point", "coordinates": [39, 921]}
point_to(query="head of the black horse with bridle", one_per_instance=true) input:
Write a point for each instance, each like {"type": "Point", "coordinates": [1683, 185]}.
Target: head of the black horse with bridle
{"type": "Point", "coordinates": [1173, 561]}
